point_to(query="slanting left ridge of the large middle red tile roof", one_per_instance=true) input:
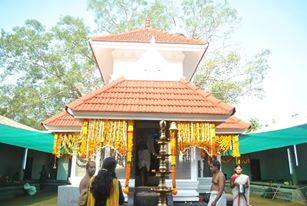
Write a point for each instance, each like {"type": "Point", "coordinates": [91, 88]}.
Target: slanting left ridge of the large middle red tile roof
{"type": "Point", "coordinates": [82, 99]}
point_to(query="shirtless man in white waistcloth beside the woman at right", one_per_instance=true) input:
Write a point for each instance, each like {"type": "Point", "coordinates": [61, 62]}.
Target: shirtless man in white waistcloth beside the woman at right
{"type": "Point", "coordinates": [217, 196]}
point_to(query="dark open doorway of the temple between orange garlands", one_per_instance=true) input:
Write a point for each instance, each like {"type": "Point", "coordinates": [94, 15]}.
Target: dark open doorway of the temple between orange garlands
{"type": "Point", "coordinates": [145, 147]}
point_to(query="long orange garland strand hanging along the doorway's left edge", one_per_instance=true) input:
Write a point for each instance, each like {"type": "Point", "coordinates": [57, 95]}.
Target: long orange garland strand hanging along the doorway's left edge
{"type": "Point", "coordinates": [128, 156]}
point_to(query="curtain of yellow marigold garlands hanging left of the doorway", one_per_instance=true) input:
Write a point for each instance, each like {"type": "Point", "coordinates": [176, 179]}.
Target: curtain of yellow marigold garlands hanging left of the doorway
{"type": "Point", "coordinates": [95, 134]}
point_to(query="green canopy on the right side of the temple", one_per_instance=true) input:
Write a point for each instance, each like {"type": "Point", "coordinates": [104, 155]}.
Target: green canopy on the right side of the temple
{"type": "Point", "coordinates": [255, 142]}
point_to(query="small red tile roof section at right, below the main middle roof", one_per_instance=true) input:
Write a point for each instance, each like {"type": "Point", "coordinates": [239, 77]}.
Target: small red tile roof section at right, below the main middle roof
{"type": "Point", "coordinates": [232, 125]}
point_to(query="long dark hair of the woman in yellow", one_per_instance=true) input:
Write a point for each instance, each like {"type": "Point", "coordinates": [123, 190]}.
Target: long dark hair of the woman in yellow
{"type": "Point", "coordinates": [103, 182]}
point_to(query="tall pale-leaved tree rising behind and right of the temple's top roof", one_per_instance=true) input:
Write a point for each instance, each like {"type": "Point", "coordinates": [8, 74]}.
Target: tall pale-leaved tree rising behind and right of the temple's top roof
{"type": "Point", "coordinates": [223, 71]}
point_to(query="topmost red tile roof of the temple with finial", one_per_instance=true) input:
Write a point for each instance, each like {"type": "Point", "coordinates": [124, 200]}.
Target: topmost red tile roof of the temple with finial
{"type": "Point", "coordinates": [145, 35]}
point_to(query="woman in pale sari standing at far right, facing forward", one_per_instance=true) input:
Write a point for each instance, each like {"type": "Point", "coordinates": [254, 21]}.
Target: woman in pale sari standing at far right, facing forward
{"type": "Point", "coordinates": [239, 184]}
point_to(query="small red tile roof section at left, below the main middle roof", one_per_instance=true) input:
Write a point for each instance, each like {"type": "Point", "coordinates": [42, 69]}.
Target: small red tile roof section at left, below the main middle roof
{"type": "Point", "coordinates": [62, 119]}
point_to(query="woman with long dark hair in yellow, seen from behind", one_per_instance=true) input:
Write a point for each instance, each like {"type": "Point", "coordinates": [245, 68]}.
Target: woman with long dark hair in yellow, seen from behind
{"type": "Point", "coordinates": [105, 189]}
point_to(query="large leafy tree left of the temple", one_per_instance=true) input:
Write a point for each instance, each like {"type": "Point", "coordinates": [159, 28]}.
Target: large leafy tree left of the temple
{"type": "Point", "coordinates": [44, 69]}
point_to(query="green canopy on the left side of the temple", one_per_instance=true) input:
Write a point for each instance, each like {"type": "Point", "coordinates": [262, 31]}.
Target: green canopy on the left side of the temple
{"type": "Point", "coordinates": [35, 140]}
